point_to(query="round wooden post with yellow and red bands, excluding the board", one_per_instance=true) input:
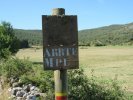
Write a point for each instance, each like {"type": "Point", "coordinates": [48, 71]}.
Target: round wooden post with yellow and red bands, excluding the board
{"type": "Point", "coordinates": [60, 76]}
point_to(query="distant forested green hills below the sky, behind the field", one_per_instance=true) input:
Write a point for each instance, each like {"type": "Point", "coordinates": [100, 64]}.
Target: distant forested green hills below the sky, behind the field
{"type": "Point", "coordinates": [108, 35]}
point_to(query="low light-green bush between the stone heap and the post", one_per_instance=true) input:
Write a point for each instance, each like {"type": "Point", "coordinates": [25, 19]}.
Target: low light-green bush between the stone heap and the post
{"type": "Point", "coordinates": [39, 78]}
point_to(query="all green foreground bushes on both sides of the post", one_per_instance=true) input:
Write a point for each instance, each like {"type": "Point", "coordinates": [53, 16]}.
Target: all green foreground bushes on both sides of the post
{"type": "Point", "coordinates": [86, 89]}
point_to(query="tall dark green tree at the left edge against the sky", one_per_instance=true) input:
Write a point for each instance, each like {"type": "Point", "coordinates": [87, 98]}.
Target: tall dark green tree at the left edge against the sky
{"type": "Point", "coordinates": [9, 44]}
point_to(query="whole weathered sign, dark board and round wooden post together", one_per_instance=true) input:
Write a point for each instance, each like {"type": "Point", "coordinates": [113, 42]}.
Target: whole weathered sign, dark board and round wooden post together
{"type": "Point", "coordinates": [60, 48]}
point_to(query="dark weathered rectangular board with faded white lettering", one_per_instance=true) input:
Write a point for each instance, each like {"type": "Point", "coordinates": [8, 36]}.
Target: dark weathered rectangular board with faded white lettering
{"type": "Point", "coordinates": [60, 42]}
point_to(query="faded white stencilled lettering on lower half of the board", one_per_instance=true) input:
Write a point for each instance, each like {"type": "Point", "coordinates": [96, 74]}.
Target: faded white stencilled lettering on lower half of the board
{"type": "Point", "coordinates": [55, 57]}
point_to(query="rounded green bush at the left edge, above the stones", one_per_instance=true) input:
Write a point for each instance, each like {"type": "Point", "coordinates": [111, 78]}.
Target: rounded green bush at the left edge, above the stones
{"type": "Point", "coordinates": [15, 67]}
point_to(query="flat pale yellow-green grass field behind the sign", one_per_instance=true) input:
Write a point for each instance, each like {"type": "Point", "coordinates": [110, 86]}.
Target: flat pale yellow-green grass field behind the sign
{"type": "Point", "coordinates": [107, 62]}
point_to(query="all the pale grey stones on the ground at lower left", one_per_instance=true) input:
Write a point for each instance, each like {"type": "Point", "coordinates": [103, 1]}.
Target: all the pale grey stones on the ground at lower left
{"type": "Point", "coordinates": [22, 92]}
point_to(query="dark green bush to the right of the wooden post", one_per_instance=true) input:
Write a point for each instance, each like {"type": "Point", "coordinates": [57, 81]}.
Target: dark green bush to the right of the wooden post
{"type": "Point", "coordinates": [82, 88]}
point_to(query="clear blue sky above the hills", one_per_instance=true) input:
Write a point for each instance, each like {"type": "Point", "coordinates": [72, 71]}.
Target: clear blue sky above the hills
{"type": "Point", "coordinates": [27, 14]}
